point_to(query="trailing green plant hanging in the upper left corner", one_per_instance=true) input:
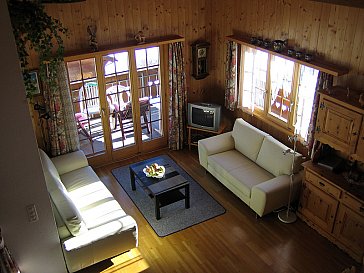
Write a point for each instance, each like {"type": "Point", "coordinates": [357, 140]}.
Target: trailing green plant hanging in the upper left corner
{"type": "Point", "coordinates": [34, 29]}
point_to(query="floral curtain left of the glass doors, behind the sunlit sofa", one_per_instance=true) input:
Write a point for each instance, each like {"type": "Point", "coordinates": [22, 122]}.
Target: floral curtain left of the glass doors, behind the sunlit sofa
{"type": "Point", "coordinates": [62, 129]}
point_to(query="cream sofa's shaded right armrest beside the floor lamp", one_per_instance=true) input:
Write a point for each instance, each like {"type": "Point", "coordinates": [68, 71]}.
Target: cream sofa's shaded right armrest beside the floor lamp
{"type": "Point", "coordinates": [274, 193]}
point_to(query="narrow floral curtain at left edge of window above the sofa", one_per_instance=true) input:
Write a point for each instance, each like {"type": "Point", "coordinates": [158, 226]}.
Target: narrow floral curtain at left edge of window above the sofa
{"type": "Point", "coordinates": [231, 90]}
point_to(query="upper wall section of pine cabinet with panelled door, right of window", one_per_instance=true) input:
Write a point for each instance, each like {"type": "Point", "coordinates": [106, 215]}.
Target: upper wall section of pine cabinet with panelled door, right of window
{"type": "Point", "coordinates": [337, 125]}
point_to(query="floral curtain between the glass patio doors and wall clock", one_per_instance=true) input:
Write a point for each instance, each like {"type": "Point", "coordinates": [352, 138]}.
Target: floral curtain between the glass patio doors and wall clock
{"type": "Point", "coordinates": [177, 95]}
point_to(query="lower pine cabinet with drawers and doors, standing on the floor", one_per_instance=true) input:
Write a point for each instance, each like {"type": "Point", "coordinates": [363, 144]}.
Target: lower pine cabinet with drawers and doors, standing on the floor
{"type": "Point", "coordinates": [334, 208]}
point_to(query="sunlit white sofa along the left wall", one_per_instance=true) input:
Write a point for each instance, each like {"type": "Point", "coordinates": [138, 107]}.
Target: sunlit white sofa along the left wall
{"type": "Point", "coordinates": [91, 224]}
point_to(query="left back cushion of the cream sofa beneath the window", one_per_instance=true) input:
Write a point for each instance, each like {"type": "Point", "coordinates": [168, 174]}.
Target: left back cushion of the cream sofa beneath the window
{"type": "Point", "coordinates": [248, 139]}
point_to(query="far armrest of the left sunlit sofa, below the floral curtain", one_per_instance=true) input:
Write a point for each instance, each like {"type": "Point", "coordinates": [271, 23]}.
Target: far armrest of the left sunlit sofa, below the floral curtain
{"type": "Point", "coordinates": [70, 162]}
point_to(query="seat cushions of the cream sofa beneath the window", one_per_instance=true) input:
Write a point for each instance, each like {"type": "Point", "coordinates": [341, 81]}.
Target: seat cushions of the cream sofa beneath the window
{"type": "Point", "coordinates": [240, 171]}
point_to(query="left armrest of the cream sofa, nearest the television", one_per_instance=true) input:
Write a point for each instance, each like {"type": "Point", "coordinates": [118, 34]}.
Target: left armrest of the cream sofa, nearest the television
{"type": "Point", "coordinates": [213, 145]}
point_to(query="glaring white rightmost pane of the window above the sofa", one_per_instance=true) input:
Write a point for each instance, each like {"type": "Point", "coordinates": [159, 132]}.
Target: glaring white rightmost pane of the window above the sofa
{"type": "Point", "coordinates": [306, 94]}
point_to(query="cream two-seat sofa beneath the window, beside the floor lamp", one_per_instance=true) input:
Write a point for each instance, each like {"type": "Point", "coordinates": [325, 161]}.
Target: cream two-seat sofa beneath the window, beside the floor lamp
{"type": "Point", "coordinates": [253, 165]}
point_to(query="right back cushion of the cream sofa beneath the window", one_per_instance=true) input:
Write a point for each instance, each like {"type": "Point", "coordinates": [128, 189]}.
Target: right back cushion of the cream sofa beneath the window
{"type": "Point", "coordinates": [272, 158]}
